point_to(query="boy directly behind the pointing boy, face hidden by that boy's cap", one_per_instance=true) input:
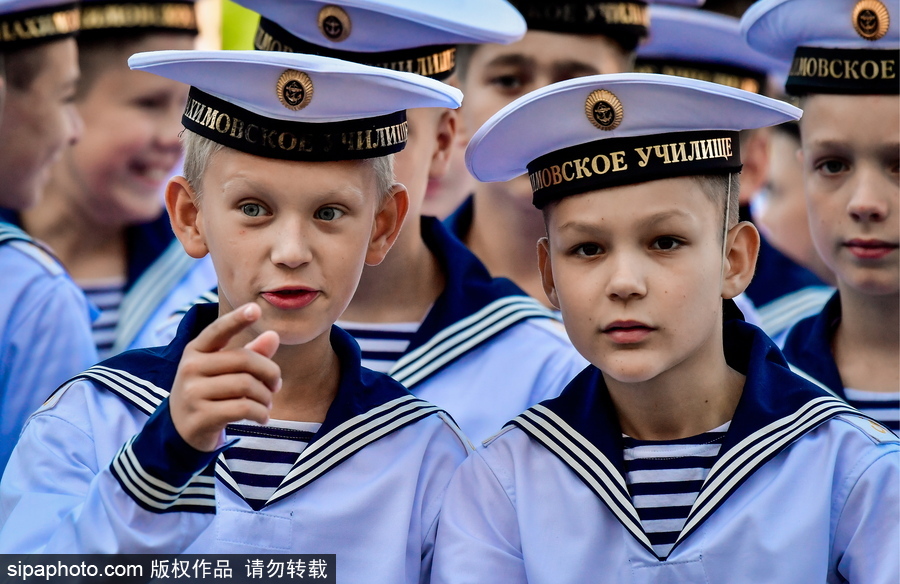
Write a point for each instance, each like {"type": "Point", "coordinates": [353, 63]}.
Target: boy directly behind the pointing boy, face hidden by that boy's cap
{"type": "Point", "coordinates": [430, 315]}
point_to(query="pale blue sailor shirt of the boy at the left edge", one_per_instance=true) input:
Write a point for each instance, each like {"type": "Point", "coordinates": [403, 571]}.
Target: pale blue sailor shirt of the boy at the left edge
{"type": "Point", "coordinates": [45, 331]}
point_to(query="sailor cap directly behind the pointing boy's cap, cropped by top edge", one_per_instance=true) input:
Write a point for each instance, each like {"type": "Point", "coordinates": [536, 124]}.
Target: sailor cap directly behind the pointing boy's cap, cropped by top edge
{"type": "Point", "coordinates": [414, 37]}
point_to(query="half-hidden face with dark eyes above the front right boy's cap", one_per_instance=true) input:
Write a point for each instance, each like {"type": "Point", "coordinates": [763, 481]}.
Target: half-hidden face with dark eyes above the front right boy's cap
{"type": "Point", "coordinates": [499, 74]}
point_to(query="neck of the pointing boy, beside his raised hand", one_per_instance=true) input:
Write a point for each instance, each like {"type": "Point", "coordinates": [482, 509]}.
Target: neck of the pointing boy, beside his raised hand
{"type": "Point", "coordinates": [310, 376]}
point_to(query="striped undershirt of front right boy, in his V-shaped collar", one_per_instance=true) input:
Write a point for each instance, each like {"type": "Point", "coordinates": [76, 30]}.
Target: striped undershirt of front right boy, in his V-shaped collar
{"type": "Point", "coordinates": [664, 478]}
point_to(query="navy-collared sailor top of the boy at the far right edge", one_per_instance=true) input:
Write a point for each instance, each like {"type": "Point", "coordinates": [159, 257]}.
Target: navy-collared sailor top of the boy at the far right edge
{"type": "Point", "coordinates": [807, 349]}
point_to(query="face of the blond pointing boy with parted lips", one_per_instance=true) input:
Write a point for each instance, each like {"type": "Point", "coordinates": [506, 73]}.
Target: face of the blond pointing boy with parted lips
{"type": "Point", "coordinates": [290, 236]}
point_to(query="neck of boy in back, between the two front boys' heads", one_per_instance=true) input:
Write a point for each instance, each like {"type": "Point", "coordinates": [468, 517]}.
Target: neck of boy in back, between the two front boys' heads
{"type": "Point", "coordinates": [504, 235]}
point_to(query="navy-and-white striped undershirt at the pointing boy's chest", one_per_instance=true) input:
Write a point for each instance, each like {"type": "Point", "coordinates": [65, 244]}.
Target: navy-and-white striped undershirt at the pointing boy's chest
{"type": "Point", "coordinates": [265, 455]}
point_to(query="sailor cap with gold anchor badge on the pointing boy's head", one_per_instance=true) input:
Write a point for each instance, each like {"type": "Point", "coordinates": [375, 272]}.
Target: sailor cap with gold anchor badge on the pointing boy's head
{"type": "Point", "coordinates": [296, 107]}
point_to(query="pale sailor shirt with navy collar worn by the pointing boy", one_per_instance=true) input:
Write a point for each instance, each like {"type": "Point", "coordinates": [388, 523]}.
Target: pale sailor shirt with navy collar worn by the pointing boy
{"type": "Point", "coordinates": [101, 469]}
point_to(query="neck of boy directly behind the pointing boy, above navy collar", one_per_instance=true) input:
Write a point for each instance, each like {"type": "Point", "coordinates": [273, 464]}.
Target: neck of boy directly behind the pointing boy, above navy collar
{"type": "Point", "coordinates": [403, 287]}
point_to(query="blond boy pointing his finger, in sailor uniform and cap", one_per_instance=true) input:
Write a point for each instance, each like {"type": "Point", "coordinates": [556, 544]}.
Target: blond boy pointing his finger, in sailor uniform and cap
{"type": "Point", "coordinates": [256, 429]}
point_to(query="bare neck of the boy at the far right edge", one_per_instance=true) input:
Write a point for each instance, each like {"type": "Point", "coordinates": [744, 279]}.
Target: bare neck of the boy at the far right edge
{"type": "Point", "coordinates": [867, 341]}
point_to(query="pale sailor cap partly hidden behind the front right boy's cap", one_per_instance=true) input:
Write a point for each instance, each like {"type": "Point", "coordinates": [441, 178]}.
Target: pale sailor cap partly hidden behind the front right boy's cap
{"type": "Point", "coordinates": [704, 45]}
